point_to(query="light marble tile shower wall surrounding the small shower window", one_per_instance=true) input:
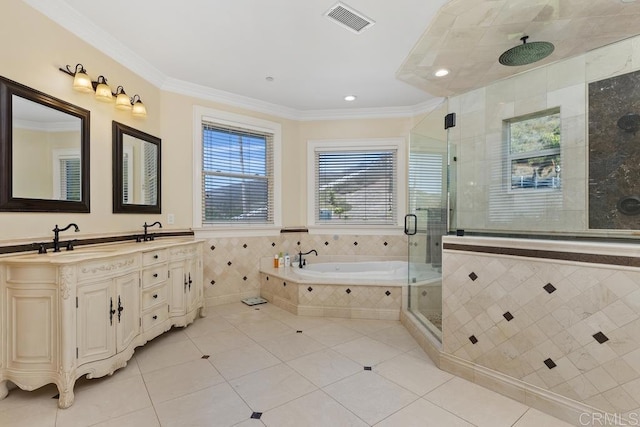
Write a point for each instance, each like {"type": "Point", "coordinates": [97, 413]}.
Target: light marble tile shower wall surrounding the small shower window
{"type": "Point", "coordinates": [483, 200]}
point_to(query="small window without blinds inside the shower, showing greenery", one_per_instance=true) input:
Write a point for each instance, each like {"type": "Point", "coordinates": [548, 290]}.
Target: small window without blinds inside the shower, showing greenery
{"type": "Point", "coordinates": [534, 150]}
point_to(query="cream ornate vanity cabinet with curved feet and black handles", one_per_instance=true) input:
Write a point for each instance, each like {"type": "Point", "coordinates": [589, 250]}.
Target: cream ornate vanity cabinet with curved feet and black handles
{"type": "Point", "coordinates": [84, 312]}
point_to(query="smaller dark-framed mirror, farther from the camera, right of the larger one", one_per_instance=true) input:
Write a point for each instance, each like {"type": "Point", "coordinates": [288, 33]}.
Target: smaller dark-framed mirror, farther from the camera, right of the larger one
{"type": "Point", "coordinates": [136, 170]}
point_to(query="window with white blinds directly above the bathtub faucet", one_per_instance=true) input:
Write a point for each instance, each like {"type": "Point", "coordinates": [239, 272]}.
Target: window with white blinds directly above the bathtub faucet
{"type": "Point", "coordinates": [354, 183]}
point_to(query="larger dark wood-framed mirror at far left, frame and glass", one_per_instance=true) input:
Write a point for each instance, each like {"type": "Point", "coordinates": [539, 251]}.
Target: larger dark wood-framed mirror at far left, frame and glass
{"type": "Point", "coordinates": [44, 152]}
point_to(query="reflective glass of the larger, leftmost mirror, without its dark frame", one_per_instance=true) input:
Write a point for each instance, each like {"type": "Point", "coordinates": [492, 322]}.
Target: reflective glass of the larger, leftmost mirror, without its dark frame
{"type": "Point", "coordinates": [46, 152]}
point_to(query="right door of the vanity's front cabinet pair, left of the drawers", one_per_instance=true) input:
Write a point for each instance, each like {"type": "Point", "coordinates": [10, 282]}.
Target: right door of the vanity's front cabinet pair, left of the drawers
{"type": "Point", "coordinates": [127, 309]}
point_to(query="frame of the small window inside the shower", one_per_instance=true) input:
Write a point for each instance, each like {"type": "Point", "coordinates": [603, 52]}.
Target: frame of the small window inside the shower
{"type": "Point", "coordinates": [510, 157]}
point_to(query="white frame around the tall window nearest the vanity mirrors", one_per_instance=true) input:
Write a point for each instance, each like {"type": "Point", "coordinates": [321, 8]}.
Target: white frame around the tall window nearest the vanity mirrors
{"type": "Point", "coordinates": [225, 118]}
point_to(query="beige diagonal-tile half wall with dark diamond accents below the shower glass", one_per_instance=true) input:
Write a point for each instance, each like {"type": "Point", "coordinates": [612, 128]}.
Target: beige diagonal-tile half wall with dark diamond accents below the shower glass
{"type": "Point", "coordinates": [568, 327]}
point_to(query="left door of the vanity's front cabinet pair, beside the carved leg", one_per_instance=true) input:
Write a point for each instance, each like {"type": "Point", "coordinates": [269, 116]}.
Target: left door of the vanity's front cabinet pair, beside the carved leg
{"type": "Point", "coordinates": [97, 315]}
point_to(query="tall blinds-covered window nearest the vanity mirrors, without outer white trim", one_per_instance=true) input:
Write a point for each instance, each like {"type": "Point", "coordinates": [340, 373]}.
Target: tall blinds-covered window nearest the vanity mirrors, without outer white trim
{"type": "Point", "coordinates": [237, 175]}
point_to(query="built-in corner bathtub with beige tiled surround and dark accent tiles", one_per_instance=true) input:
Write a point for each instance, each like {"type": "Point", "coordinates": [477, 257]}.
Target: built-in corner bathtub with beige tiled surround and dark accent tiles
{"type": "Point", "coordinates": [315, 293]}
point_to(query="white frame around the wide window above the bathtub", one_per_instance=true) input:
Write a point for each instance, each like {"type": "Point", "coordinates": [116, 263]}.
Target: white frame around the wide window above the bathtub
{"type": "Point", "coordinates": [373, 144]}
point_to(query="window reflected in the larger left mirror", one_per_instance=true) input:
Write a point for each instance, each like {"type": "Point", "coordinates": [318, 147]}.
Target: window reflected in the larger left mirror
{"type": "Point", "coordinates": [67, 174]}
